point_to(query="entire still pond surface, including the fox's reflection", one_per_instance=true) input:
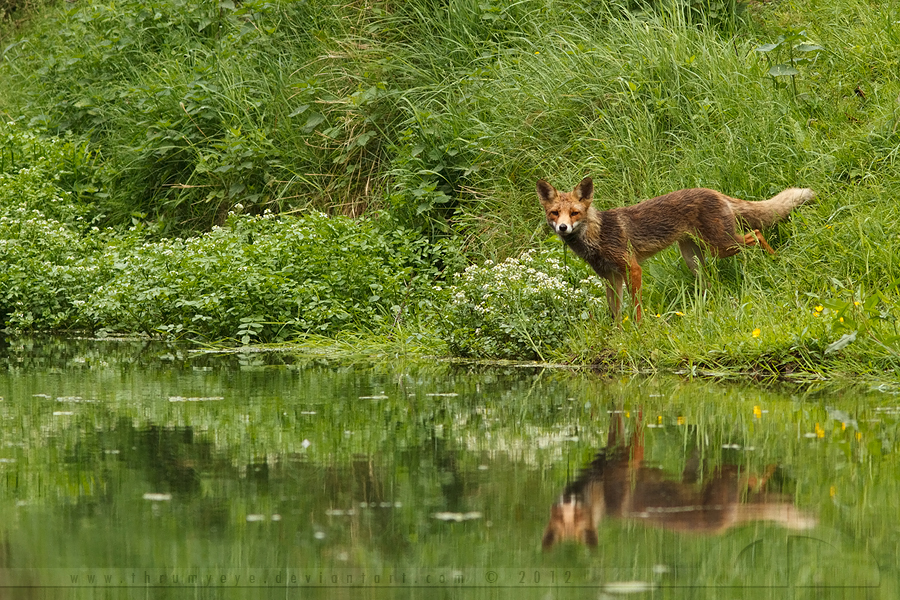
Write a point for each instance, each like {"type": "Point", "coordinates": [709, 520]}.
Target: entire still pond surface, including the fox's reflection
{"type": "Point", "coordinates": [135, 469]}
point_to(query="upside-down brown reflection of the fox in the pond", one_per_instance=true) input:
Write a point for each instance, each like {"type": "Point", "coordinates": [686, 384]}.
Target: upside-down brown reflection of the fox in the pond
{"type": "Point", "coordinates": [618, 485]}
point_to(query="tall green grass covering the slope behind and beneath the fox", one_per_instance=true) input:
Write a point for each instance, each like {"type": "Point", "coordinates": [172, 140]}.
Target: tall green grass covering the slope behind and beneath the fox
{"type": "Point", "coordinates": [442, 114]}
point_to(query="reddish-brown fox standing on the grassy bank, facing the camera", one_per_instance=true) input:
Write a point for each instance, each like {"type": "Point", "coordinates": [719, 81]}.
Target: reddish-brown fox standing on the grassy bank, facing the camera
{"type": "Point", "coordinates": [614, 242]}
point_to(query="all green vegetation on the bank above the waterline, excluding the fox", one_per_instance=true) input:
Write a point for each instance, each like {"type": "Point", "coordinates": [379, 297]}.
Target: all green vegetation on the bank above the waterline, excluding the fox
{"type": "Point", "coordinates": [166, 163]}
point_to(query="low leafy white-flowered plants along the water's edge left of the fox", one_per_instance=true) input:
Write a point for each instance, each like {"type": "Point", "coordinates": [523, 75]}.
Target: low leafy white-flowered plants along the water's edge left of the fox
{"type": "Point", "coordinates": [260, 278]}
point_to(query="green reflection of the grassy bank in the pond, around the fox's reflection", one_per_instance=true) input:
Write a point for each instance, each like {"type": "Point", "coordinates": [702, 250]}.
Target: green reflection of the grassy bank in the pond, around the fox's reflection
{"type": "Point", "coordinates": [504, 446]}
